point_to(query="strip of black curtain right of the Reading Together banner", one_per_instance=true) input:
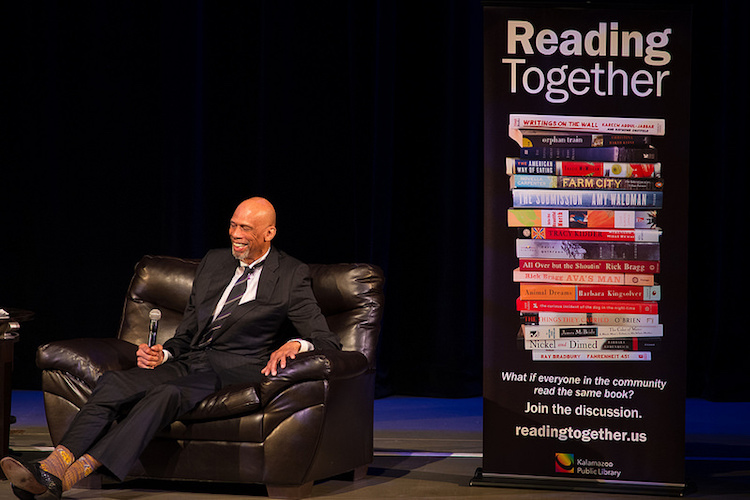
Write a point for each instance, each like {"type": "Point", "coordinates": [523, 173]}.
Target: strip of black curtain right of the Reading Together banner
{"type": "Point", "coordinates": [717, 365]}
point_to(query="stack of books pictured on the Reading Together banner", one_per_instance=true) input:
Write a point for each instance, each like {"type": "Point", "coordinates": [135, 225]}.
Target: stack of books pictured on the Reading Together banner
{"type": "Point", "coordinates": [586, 192]}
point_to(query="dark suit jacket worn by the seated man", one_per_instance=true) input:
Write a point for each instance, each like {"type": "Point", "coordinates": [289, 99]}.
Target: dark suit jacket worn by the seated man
{"type": "Point", "coordinates": [256, 328]}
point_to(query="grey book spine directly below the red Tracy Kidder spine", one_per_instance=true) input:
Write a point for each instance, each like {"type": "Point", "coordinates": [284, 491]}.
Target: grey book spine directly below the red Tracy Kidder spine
{"type": "Point", "coordinates": [587, 250]}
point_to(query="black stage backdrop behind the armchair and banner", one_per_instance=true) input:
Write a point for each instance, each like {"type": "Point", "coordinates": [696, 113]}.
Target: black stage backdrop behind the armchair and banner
{"type": "Point", "coordinates": [134, 128]}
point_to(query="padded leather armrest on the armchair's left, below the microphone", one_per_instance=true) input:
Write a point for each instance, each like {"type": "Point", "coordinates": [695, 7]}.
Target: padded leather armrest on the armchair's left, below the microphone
{"type": "Point", "coordinates": [87, 359]}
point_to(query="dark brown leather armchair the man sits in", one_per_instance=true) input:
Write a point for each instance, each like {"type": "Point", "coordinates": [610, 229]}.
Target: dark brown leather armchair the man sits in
{"type": "Point", "coordinates": [311, 421]}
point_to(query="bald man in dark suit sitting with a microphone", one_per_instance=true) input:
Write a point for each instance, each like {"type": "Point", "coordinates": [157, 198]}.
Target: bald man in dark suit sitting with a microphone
{"type": "Point", "coordinates": [228, 335]}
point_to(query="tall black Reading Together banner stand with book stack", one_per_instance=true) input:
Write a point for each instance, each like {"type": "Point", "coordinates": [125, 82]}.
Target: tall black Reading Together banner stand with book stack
{"type": "Point", "coordinates": [585, 249]}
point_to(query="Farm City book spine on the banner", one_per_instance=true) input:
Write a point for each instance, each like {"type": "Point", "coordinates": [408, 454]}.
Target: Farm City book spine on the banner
{"type": "Point", "coordinates": [527, 181]}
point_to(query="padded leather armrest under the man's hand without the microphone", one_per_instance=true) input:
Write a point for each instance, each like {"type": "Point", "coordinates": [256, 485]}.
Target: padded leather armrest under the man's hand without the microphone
{"type": "Point", "coordinates": [314, 365]}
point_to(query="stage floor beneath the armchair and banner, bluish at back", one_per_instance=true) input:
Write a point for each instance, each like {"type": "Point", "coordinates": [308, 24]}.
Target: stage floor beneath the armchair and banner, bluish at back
{"type": "Point", "coordinates": [428, 448]}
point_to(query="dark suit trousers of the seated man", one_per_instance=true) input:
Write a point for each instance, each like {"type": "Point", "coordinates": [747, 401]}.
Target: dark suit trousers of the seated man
{"type": "Point", "coordinates": [127, 409]}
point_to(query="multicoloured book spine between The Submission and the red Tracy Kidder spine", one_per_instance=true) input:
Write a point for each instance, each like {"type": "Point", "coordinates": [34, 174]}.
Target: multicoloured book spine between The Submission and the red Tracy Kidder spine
{"type": "Point", "coordinates": [600, 219]}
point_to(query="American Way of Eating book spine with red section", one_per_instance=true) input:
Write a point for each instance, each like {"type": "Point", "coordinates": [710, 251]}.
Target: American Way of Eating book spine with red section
{"type": "Point", "coordinates": [582, 168]}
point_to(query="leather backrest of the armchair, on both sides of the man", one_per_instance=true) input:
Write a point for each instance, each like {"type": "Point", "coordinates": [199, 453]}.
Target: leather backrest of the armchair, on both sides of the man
{"type": "Point", "coordinates": [350, 297]}
